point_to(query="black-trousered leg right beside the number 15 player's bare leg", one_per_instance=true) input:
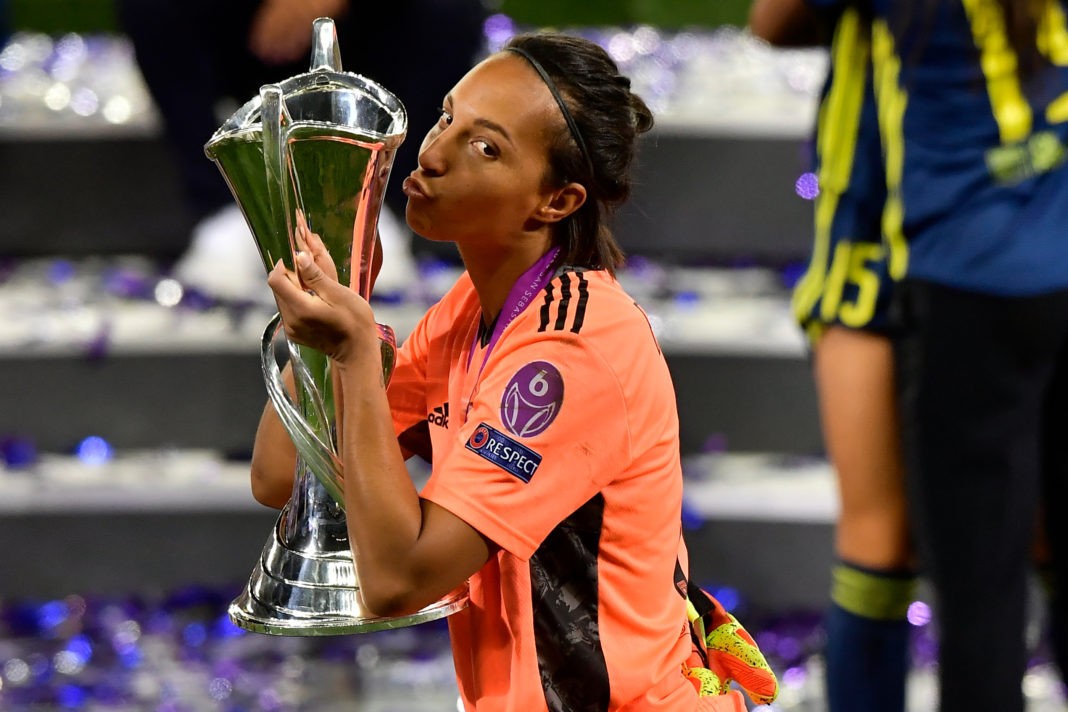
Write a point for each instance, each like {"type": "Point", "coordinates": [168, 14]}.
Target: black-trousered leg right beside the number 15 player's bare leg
{"type": "Point", "coordinates": [970, 371]}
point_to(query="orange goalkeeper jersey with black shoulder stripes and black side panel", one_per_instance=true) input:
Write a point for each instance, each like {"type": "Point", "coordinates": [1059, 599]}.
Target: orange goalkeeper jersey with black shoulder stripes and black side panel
{"type": "Point", "coordinates": [559, 441]}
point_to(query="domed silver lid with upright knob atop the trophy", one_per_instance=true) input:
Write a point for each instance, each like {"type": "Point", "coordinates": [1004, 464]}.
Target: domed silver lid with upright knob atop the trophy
{"type": "Point", "coordinates": [328, 98]}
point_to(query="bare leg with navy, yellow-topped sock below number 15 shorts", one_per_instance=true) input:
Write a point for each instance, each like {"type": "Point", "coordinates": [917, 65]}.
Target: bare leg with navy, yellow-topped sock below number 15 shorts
{"type": "Point", "coordinates": [868, 635]}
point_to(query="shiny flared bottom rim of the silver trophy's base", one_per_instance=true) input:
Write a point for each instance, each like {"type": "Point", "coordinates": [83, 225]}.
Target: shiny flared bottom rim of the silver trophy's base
{"type": "Point", "coordinates": [249, 614]}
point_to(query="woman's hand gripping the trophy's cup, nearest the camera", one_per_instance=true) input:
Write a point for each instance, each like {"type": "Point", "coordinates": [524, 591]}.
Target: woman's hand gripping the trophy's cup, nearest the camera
{"type": "Point", "coordinates": [320, 312]}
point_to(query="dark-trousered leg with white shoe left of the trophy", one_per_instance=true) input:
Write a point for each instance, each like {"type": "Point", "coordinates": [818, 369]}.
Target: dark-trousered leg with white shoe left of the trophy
{"type": "Point", "coordinates": [196, 60]}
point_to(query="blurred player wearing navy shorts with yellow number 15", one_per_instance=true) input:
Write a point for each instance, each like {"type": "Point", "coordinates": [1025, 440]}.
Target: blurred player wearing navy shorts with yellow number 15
{"type": "Point", "coordinates": [842, 304]}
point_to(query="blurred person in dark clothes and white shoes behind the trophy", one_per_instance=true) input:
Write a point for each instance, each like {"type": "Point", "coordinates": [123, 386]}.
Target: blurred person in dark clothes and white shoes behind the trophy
{"type": "Point", "coordinates": [202, 60]}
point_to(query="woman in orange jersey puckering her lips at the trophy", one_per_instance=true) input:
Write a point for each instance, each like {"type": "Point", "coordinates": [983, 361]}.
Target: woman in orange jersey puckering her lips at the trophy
{"type": "Point", "coordinates": [537, 390]}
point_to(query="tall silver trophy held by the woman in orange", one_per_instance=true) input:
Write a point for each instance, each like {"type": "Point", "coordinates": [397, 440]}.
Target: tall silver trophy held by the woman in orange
{"type": "Point", "coordinates": [317, 148]}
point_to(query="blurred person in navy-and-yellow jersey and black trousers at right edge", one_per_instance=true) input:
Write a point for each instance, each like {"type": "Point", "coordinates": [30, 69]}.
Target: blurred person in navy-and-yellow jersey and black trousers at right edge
{"type": "Point", "coordinates": [973, 110]}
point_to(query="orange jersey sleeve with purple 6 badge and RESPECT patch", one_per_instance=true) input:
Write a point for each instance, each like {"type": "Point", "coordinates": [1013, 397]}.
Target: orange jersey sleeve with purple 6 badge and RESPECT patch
{"type": "Point", "coordinates": [543, 432]}
